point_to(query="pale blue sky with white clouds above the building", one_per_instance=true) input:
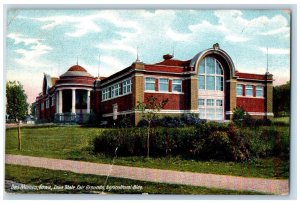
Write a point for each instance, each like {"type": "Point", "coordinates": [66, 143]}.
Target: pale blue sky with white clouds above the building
{"type": "Point", "coordinates": [50, 41]}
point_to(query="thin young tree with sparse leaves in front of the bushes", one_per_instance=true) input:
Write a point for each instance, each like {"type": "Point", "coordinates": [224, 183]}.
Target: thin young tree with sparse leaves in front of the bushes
{"type": "Point", "coordinates": [149, 112]}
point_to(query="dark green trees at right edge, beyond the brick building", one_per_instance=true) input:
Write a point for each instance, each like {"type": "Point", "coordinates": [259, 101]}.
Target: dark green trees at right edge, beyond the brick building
{"type": "Point", "coordinates": [281, 99]}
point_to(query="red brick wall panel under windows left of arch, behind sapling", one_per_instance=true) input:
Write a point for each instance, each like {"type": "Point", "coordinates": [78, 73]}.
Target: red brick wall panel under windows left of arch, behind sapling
{"type": "Point", "coordinates": [176, 101]}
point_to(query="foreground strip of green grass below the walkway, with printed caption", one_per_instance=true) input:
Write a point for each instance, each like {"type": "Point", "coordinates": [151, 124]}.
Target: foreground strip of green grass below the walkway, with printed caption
{"type": "Point", "coordinates": [37, 176]}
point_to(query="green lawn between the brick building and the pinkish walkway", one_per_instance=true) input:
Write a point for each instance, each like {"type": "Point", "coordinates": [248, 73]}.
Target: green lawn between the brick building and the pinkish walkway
{"type": "Point", "coordinates": [73, 143]}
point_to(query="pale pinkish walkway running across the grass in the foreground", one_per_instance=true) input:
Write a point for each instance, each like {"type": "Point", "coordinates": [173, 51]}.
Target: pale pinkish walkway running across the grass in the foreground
{"type": "Point", "coordinates": [271, 186]}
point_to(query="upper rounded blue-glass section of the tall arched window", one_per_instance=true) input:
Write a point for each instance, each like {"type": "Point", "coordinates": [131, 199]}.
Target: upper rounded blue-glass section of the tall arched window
{"type": "Point", "coordinates": [210, 75]}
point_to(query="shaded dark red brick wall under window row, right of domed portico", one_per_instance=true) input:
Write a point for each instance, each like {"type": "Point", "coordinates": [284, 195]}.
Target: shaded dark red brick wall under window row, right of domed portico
{"type": "Point", "coordinates": [124, 104]}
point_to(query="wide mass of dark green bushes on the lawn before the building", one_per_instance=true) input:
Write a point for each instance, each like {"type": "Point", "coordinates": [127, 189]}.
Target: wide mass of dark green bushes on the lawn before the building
{"type": "Point", "coordinates": [205, 142]}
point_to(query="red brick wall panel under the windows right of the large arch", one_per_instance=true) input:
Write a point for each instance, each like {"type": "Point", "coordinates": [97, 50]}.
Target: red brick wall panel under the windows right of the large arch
{"type": "Point", "coordinates": [251, 104]}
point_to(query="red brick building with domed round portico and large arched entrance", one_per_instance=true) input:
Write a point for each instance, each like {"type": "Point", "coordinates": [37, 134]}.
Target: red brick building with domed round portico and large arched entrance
{"type": "Point", "coordinates": [207, 85]}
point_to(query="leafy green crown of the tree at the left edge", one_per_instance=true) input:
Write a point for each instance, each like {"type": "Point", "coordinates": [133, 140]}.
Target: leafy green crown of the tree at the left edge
{"type": "Point", "coordinates": [16, 104]}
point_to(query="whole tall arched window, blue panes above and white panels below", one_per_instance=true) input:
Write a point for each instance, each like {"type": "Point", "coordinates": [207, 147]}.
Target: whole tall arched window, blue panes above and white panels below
{"type": "Point", "coordinates": [211, 89]}
